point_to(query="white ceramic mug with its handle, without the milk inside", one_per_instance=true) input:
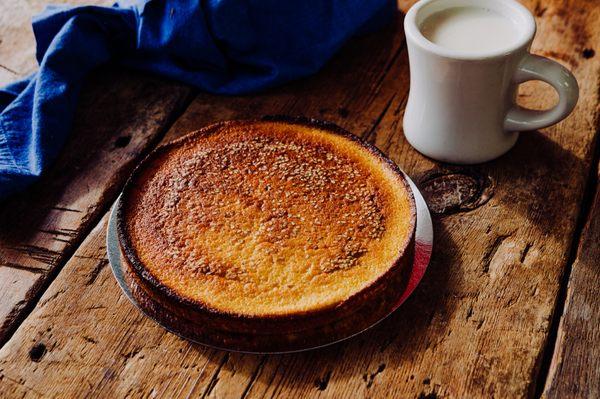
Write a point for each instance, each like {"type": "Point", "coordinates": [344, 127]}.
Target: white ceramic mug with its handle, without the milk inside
{"type": "Point", "coordinates": [462, 105]}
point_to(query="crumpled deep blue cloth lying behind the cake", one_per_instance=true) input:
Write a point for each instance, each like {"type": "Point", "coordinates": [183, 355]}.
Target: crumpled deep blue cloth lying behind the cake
{"type": "Point", "coordinates": [221, 46]}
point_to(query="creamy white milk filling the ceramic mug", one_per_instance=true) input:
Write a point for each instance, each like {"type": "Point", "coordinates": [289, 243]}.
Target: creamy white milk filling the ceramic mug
{"type": "Point", "coordinates": [470, 29]}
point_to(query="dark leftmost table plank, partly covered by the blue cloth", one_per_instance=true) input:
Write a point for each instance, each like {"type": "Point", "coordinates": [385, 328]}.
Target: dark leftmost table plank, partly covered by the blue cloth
{"type": "Point", "coordinates": [119, 116]}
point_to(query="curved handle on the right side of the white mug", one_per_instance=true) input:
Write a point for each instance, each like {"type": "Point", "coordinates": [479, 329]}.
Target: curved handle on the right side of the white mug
{"type": "Point", "coordinates": [534, 67]}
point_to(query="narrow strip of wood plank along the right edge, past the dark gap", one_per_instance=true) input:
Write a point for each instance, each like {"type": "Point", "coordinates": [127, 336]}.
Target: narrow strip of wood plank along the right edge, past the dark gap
{"type": "Point", "coordinates": [575, 367]}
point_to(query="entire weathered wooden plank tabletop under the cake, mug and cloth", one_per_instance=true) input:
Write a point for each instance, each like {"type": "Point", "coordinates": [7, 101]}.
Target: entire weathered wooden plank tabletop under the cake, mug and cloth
{"type": "Point", "coordinates": [509, 305]}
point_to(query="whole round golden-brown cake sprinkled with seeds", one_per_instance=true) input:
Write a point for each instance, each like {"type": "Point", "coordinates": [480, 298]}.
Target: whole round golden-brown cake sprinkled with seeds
{"type": "Point", "coordinates": [267, 233]}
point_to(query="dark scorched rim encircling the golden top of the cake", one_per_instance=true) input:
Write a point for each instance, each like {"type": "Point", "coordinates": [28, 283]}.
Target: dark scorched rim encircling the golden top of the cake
{"type": "Point", "coordinates": [197, 310]}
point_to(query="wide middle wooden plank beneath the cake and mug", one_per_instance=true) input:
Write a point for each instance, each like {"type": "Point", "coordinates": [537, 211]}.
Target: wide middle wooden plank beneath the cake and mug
{"type": "Point", "coordinates": [477, 325]}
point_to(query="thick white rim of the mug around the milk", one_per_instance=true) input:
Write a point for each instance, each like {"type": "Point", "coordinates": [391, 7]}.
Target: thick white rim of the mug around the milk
{"type": "Point", "coordinates": [413, 32]}
